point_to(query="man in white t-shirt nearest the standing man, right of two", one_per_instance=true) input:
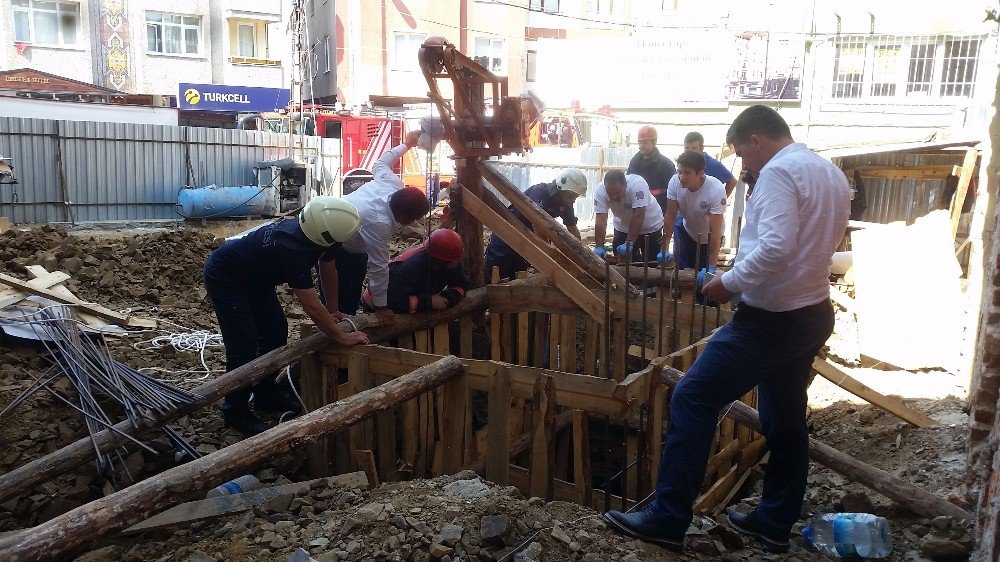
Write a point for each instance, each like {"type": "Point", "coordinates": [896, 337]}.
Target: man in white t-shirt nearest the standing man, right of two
{"type": "Point", "coordinates": [701, 200]}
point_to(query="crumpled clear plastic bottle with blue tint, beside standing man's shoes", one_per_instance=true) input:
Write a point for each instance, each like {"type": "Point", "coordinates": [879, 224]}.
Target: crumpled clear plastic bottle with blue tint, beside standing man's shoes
{"type": "Point", "coordinates": [849, 534]}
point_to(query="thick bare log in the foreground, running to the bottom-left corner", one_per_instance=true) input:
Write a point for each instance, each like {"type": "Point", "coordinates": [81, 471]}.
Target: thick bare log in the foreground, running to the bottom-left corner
{"type": "Point", "coordinates": [60, 536]}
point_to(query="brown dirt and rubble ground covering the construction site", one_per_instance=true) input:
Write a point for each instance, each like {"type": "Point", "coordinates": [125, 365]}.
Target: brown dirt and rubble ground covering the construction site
{"type": "Point", "coordinates": [158, 274]}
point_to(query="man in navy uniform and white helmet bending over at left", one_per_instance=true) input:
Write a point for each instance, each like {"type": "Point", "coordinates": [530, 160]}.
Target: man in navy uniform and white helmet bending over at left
{"type": "Point", "coordinates": [241, 277]}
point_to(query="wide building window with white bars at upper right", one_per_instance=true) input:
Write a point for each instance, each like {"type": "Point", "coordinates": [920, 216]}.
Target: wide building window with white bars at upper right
{"type": "Point", "coordinates": [887, 68]}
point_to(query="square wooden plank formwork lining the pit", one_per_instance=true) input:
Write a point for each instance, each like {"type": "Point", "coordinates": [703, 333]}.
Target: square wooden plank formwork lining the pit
{"type": "Point", "coordinates": [549, 371]}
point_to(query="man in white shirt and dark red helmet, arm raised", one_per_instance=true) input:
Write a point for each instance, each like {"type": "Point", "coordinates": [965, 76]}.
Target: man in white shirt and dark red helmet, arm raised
{"type": "Point", "coordinates": [384, 204]}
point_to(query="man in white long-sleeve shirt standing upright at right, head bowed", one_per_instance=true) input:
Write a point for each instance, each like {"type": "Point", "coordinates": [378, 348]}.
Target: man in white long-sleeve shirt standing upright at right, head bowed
{"type": "Point", "coordinates": [795, 219]}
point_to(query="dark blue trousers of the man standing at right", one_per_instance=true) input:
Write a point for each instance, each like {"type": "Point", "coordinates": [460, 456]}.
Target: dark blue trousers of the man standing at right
{"type": "Point", "coordinates": [773, 351]}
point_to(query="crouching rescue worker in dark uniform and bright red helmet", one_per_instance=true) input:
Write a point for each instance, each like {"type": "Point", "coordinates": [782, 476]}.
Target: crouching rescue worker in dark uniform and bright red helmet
{"type": "Point", "coordinates": [427, 277]}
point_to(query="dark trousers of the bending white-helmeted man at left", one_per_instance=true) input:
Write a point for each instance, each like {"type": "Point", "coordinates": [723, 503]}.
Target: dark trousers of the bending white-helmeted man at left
{"type": "Point", "coordinates": [252, 323]}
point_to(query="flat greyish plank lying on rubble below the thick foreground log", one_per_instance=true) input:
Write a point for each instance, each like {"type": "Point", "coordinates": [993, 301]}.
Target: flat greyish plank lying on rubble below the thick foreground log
{"type": "Point", "coordinates": [224, 505]}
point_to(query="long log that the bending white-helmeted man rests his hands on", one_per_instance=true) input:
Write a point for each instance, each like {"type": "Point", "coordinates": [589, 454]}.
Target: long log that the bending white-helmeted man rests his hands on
{"type": "Point", "coordinates": [23, 478]}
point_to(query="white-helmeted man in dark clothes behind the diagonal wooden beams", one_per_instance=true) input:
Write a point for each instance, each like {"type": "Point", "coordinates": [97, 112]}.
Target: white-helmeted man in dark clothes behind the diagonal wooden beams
{"type": "Point", "coordinates": [557, 199]}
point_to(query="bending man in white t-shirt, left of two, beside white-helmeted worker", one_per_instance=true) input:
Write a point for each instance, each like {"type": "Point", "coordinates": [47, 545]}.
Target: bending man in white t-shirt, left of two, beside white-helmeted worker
{"type": "Point", "coordinates": [638, 222]}
